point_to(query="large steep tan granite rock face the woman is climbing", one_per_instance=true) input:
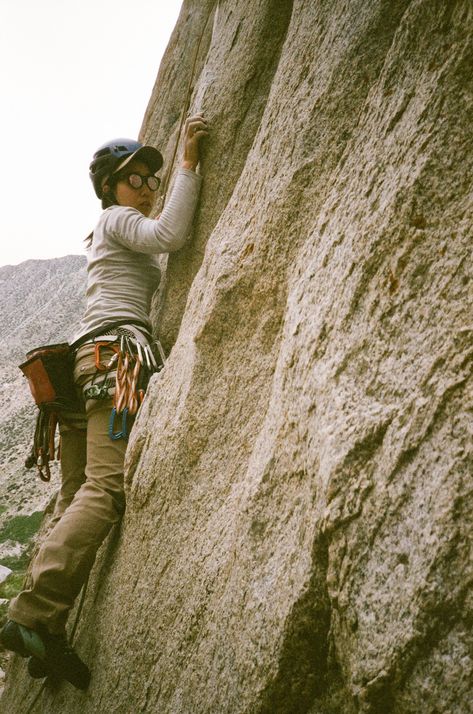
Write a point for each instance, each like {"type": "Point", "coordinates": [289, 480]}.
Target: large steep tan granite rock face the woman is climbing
{"type": "Point", "coordinates": [297, 535]}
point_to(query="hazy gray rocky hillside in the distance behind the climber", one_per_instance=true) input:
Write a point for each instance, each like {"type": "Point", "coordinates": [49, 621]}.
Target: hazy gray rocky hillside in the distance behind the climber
{"type": "Point", "coordinates": [42, 302]}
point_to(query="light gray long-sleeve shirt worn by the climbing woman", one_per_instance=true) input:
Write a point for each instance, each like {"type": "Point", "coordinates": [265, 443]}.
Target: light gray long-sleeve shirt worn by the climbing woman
{"type": "Point", "coordinates": [122, 273]}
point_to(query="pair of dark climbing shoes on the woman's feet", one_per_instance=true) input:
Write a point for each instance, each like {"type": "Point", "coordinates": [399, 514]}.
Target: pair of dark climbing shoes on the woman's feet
{"type": "Point", "coordinates": [52, 651]}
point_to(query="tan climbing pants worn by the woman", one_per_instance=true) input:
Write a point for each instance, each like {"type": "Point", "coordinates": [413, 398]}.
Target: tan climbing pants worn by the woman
{"type": "Point", "coordinates": [91, 500]}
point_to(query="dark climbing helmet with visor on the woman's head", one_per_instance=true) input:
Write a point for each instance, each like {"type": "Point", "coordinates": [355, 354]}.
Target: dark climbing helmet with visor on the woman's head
{"type": "Point", "coordinates": [113, 155]}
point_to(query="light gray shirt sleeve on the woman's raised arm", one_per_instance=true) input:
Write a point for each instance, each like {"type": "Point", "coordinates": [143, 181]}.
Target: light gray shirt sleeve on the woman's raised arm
{"type": "Point", "coordinates": [167, 233]}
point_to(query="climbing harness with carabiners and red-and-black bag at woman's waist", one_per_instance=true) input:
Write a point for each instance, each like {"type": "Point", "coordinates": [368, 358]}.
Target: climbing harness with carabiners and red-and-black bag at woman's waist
{"type": "Point", "coordinates": [123, 368]}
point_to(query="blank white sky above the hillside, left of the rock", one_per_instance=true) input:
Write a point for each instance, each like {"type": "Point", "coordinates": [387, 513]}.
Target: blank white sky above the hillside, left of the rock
{"type": "Point", "coordinates": [73, 74]}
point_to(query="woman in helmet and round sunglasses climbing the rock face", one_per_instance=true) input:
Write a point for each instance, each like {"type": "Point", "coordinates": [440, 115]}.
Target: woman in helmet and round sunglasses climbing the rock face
{"type": "Point", "coordinates": [114, 358]}
